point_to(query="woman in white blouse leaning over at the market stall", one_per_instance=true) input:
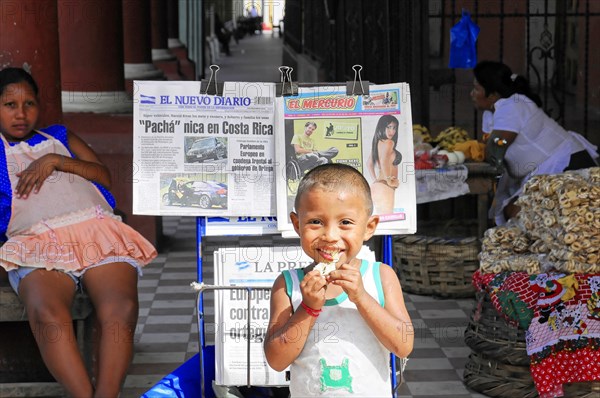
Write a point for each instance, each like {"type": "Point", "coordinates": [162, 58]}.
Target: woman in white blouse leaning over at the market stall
{"type": "Point", "coordinates": [534, 142]}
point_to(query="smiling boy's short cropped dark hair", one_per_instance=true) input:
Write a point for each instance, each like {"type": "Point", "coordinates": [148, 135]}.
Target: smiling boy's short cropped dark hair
{"type": "Point", "coordinates": [335, 176]}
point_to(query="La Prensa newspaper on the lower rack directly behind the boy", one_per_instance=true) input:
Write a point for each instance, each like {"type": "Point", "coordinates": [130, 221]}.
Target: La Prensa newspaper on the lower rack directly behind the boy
{"type": "Point", "coordinates": [255, 268]}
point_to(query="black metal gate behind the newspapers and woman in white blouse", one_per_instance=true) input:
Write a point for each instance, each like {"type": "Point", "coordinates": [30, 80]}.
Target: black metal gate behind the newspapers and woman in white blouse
{"type": "Point", "coordinates": [548, 41]}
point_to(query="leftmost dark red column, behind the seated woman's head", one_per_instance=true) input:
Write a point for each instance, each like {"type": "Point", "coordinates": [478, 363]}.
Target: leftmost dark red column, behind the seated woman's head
{"type": "Point", "coordinates": [29, 39]}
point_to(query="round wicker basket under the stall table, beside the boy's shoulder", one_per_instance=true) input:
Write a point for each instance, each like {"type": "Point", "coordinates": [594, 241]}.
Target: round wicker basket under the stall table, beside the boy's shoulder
{"type": "Point", "coordinates": [436, 266]}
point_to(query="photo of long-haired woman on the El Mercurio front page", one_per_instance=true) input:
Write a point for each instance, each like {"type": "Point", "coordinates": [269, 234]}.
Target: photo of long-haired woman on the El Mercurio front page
{"type": "Point", "coordinates": [383, 164]}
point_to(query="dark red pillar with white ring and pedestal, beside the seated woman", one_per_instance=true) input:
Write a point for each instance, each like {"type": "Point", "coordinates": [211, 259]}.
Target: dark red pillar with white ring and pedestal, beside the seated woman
{"type": "Point", "coordinates": [96, 105]}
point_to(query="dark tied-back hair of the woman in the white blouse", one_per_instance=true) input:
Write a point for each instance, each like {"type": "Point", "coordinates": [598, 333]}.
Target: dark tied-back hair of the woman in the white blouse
{"type": "Point", "coordinates": [497, 77]}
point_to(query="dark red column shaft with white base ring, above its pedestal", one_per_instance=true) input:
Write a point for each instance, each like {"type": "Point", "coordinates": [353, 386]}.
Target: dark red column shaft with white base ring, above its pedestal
{"type": "Point", "coordinates": [91, 56]}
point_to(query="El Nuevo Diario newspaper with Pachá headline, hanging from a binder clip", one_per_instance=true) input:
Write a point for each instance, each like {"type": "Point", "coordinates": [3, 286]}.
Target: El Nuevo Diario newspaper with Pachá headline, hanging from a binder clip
{"type": "Point", "coordinates": [197, 154]}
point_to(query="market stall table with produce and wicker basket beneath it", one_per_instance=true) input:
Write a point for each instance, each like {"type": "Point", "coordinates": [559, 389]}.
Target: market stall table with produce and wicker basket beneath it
{"type": "Point", "coordinates": [447, 166]}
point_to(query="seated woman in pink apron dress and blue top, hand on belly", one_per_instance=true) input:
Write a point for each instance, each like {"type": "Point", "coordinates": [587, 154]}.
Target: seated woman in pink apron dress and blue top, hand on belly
{"type": "Point", "coordinates": [62, 235]}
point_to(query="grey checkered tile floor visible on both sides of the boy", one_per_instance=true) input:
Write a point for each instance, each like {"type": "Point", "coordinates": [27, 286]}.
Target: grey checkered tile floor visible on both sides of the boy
{"type": "Point", "coordinates": [167, 332]}
